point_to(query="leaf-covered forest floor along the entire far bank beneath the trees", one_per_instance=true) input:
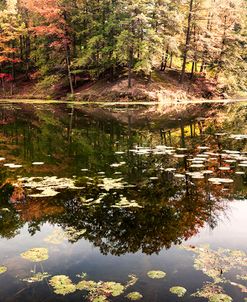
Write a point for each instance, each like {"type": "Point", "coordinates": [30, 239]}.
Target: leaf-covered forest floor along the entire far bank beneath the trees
{"type": "Point", "coordinates": [162, 87]}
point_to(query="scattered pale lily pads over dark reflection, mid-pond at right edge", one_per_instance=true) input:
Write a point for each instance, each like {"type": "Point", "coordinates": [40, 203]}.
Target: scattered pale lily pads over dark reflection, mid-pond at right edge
{"type": "Point", "coordinates": [202, 165]}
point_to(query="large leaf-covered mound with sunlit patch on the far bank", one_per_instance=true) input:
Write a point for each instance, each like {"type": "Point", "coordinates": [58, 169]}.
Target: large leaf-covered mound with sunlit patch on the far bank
{"type": "Point", "coordinates": [162, 87]}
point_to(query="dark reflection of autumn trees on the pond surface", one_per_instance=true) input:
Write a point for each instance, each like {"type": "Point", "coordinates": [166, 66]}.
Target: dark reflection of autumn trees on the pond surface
{"type": "Point", "coordinates": [93, 149]}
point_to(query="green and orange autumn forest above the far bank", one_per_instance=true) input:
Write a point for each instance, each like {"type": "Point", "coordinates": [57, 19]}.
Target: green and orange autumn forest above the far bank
{"type": "Point", "coordinates": [63, 45]}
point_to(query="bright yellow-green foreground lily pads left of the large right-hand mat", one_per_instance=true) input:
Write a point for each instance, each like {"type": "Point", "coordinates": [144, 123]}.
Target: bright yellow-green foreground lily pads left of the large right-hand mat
{"type": "Point", "coordinates": [96, 291]}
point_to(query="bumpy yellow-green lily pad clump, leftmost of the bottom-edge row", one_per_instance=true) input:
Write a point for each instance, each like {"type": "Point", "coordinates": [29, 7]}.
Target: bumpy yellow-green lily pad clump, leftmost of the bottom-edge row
{"type": "Point", "coordinates": [62, 285]}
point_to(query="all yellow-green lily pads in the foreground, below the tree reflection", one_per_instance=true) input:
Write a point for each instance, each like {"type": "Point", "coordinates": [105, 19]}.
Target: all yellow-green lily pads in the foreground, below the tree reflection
{"type": "Point", "coordinates": [215, 264]}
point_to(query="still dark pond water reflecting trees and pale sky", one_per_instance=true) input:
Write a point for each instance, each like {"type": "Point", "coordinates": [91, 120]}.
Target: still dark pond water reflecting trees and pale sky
{"type": "Point", "coordinates": [96, 190]}
